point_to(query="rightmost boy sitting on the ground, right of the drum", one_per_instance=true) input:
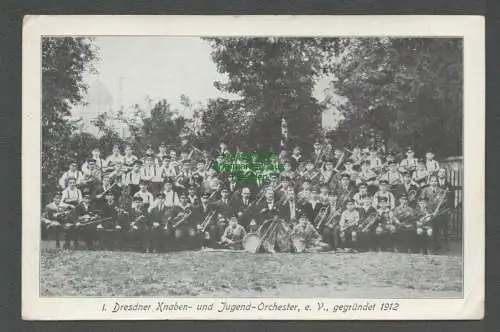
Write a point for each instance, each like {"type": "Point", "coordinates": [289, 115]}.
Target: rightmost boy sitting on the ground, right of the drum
{"type": "Point", "coordinates": [305, 237]}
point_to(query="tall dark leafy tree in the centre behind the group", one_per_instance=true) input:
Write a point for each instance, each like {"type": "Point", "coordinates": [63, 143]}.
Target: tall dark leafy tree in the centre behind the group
{"type": "Point", "coordinates": [274, 77]}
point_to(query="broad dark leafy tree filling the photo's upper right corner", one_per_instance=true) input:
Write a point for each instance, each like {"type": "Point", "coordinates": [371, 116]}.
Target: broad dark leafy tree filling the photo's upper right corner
{"type": "Point", "coordinates": [407, 90]}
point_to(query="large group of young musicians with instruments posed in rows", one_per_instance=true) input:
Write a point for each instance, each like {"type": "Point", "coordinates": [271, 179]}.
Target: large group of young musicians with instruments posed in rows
{"type": "Point", "coordinates": [336, 199]}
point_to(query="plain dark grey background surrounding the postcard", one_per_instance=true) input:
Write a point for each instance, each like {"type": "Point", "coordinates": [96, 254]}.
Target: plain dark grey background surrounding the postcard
{"type": "Point", "coordinates": [11, 13]}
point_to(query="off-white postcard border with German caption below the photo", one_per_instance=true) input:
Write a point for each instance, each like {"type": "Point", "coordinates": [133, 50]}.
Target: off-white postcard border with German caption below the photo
{"type": "Point", "coordinates": [471, 28]}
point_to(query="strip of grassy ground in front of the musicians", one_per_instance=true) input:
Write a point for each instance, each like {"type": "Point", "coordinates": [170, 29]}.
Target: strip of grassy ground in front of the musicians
{"type": "Point", "coordinates": [241, 274]}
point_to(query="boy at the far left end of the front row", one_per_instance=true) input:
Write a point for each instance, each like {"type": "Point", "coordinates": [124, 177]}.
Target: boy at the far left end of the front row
{"type": "Point", "coordinates": [54, 216]}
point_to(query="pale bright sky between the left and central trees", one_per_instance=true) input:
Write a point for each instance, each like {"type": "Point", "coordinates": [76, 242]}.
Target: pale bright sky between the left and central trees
{"type": "Point", "coordinates": [154, 66]}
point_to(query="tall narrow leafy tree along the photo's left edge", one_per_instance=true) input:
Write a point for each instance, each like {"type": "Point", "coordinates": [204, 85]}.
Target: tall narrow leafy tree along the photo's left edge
{"type": "Point", "coordinates": [64, 61]}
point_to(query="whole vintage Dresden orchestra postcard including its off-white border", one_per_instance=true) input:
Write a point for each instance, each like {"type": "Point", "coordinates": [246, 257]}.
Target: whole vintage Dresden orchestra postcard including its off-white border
{"type": "Point", "coordinates": [253, 167]}
